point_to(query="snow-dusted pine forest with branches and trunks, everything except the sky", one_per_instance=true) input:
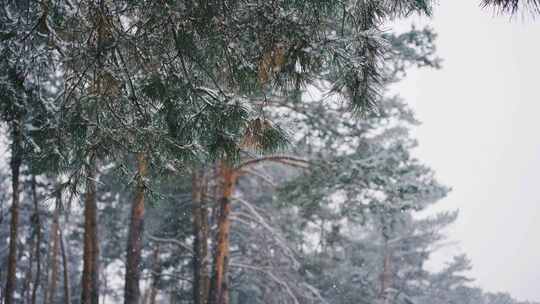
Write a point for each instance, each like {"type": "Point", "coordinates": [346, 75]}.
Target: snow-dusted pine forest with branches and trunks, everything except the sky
{"type": "Point", "coordinates": [217, 152]}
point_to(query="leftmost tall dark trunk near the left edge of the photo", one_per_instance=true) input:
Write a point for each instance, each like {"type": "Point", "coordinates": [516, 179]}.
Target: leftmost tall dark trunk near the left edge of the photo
{"type": "Point", "coordinates": [16, 160]}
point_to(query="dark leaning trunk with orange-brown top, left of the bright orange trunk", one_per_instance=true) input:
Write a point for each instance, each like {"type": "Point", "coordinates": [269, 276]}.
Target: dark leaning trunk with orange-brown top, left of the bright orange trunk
{"type": "Point", "coordinates": [134, 245]}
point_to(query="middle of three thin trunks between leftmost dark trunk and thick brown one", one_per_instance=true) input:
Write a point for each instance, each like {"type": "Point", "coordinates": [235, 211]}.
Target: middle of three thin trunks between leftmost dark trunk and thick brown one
{"type": "Point", "coordinates": [53, 278]}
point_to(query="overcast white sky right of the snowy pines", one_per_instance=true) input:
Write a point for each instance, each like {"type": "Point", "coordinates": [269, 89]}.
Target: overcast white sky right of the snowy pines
{"type": "Point", "coordinates": [481, 133]}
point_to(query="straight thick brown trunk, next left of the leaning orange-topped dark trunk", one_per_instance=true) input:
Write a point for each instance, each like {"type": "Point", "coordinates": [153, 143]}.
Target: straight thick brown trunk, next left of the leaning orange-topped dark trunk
{"type": "Point", "coordinates": [90, 276]}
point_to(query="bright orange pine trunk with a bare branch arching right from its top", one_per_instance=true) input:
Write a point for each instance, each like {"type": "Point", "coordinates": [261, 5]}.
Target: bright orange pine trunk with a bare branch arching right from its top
{"type": "Point", "coordinates": [219, 293]}
